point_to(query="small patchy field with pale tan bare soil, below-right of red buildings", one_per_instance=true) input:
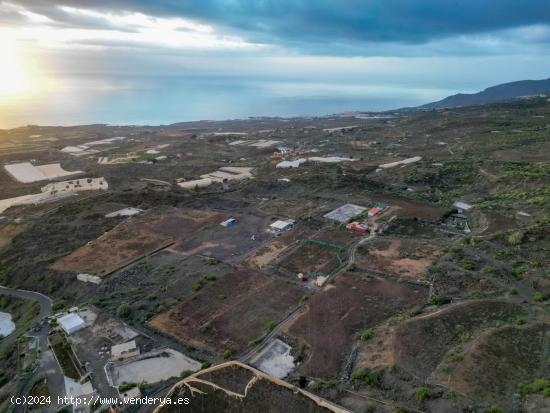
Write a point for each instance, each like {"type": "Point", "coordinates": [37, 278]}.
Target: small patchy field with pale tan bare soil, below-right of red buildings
{"type": "Point", "coordinates": [401, 256]}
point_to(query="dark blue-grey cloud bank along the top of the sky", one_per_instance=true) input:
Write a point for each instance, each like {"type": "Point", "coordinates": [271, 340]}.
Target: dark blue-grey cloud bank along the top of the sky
{"type": "Point", "coordinates": [300, 22]}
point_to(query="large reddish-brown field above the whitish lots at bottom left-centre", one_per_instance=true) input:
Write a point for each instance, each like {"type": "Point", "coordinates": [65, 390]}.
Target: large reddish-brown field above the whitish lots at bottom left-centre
{"type": "Point", "coordinates": [231, 312]}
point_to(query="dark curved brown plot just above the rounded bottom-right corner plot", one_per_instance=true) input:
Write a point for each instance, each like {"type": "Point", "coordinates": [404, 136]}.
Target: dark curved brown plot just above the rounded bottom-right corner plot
{"type": "Point", "coordinates": [421, 344]}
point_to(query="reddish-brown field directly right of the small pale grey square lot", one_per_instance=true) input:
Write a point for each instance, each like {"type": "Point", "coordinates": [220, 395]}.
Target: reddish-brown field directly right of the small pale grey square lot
{"type": "Point", "coordinates": [335, 315]}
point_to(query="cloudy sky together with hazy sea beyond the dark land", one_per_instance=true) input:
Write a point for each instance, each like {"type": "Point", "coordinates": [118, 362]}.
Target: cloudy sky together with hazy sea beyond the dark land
{"type": "Point", "coordinates": [156, 62]}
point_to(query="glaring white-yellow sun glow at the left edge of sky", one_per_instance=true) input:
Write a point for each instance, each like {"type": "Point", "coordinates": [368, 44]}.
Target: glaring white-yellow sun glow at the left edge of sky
{"type": "Point", "coordinates": [14, 78]}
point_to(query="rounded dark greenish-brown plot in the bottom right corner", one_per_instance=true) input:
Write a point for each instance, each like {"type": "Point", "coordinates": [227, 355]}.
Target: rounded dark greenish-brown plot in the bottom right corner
{"type": "Point", "coordinates": [501, 359]}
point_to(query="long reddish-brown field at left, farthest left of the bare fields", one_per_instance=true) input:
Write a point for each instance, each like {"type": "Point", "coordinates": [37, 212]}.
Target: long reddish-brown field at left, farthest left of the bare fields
{"type": "Point", "coordinates": [134, 238]}
